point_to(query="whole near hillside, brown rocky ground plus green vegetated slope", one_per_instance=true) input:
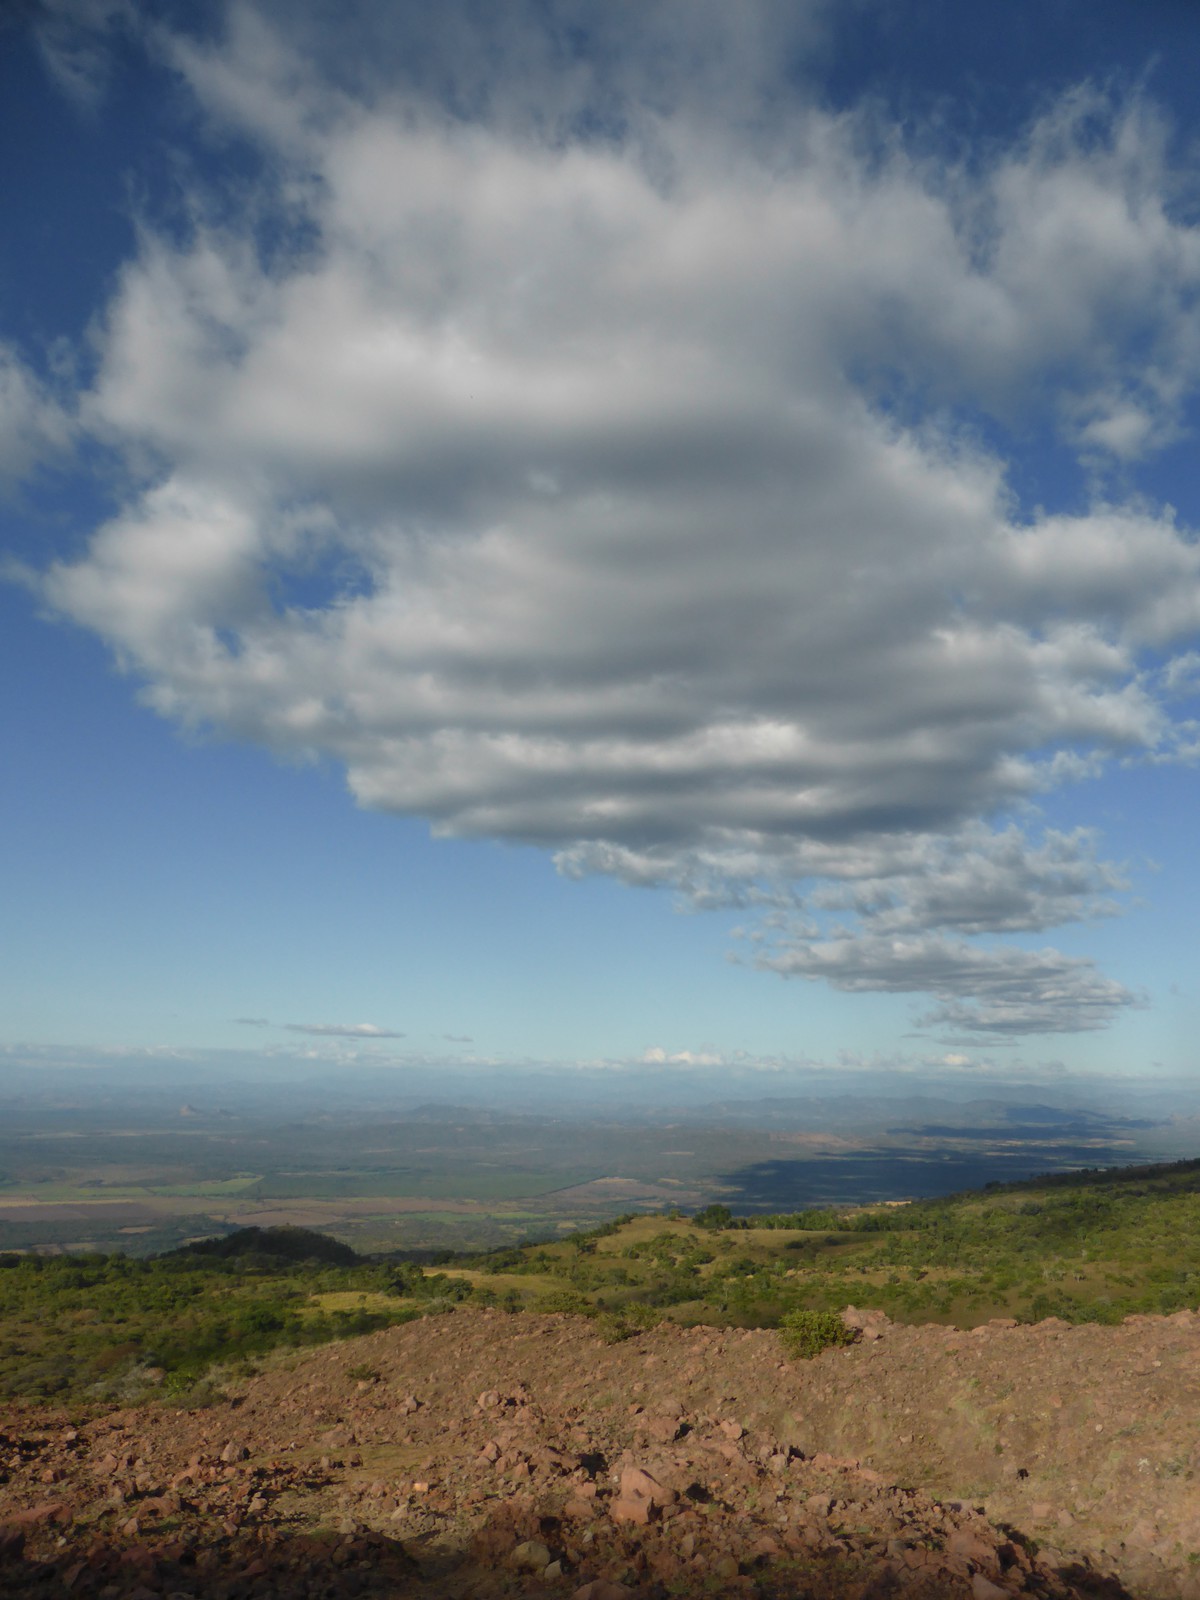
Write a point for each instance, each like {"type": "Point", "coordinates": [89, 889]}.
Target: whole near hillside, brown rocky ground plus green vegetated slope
{"type": "Point", "coordinates": [1018, 1414]}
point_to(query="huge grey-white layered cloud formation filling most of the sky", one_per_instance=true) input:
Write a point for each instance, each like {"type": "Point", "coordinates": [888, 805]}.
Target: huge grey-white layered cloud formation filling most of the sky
{"type": "Point", "coordinates": [606, 466]}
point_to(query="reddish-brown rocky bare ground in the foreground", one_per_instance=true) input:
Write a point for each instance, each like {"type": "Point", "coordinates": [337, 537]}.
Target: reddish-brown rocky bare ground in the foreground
{"type": "Point", "coordinates": [478, 1455]}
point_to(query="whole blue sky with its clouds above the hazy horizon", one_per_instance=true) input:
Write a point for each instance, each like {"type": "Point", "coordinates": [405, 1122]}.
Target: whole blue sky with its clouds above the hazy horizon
{"type": "Point", "coordinates": [650, 535]}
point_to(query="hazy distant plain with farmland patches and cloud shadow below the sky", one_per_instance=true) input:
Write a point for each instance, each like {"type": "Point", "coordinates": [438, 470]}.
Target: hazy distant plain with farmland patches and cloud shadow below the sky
{"type": "Point", "coordinates": [150, 1164]}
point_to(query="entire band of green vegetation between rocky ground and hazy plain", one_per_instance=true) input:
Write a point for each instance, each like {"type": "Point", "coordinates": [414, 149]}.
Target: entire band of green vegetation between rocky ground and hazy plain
{"type": "Point", "coordinates": [1089, 1247]}
